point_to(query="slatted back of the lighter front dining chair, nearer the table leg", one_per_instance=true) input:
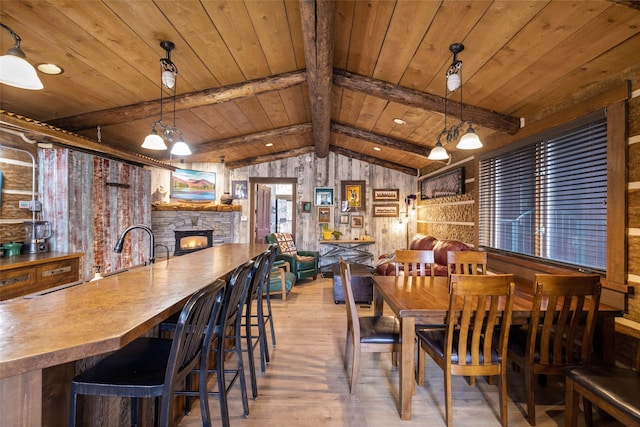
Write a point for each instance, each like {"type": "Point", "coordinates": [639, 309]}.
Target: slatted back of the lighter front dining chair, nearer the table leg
{"type": "Point", "coordinates": [483, 305]}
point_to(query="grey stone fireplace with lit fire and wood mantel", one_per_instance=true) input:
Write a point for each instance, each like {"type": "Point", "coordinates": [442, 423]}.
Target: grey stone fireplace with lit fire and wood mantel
{"type": "Point", "coordinates": [171, 225]}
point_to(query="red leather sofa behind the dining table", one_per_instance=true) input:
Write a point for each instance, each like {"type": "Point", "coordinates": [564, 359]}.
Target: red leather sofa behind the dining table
{"type": "Point", "coordinates": [386, 265]}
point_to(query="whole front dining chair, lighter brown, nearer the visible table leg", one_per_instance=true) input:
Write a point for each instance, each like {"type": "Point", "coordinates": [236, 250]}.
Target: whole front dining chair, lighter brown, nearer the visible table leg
{"type": "Point", "coordinates": [474, 341]}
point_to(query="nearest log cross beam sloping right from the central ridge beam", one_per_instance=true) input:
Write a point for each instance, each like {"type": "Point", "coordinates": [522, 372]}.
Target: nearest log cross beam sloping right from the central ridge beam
{"type": "Point", "coordinates": [426, 101]}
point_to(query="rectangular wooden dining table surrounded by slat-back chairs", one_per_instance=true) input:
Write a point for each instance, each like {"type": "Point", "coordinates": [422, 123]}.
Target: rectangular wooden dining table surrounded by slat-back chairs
{"type": "Point", "coordinates": [425, 300]}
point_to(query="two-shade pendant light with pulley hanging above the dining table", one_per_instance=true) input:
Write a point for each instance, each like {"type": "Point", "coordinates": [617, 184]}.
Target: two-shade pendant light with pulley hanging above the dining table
{"type": "Point", "coordinates": [469, 140]}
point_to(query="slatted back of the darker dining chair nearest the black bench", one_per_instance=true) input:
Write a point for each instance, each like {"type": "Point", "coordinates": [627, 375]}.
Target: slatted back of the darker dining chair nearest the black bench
{"type": "Point", "coordinates": [565, 324]}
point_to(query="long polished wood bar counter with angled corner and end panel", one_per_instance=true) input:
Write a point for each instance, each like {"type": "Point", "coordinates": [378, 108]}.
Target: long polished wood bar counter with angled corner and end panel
{"type": "Point", "coordinates": [41, 332]}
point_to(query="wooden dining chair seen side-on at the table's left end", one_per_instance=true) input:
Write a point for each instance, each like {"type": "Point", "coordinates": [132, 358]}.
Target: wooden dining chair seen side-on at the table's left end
{"type": "Point", "coordinates": [366, 334]}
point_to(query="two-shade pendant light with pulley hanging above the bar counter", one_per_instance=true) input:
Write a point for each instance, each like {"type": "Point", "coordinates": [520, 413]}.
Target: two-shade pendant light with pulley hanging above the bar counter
{"type": "Point", "coordinates": [172, 135]}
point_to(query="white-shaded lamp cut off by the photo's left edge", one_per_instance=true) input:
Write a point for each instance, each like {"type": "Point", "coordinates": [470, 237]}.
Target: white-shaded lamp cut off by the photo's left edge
{"type": "Point", "coordinates": [15, 70]}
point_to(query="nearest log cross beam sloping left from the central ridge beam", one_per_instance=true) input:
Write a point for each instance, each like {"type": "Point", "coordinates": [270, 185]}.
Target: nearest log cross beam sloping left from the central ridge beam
{"type": "Point", "coordinates": [185, 101]}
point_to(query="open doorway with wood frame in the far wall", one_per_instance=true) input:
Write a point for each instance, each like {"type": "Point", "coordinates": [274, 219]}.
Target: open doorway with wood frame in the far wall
{"type": "Point", "coordinates": [273, 207]}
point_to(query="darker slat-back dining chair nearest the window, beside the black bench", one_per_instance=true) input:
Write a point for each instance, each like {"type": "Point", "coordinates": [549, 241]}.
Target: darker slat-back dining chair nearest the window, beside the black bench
{"type": "Point", "coordinates": [560, 329]}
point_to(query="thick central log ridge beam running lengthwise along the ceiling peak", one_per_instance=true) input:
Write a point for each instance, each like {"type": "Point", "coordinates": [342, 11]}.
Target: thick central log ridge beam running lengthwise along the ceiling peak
{"type": "Point", "coordinates": [317, 28]}
